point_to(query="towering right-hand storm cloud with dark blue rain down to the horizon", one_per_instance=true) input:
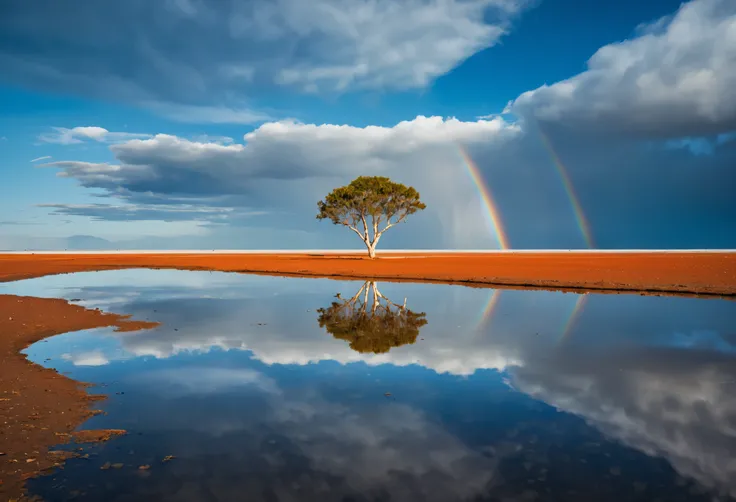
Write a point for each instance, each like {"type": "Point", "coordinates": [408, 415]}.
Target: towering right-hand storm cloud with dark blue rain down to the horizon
{"type": "Point", "coordinates": [642, 135]}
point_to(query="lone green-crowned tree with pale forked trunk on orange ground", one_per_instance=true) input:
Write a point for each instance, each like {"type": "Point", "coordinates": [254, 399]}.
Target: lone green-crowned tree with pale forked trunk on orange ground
{"type": "Point", "coordinates": [369, 206]}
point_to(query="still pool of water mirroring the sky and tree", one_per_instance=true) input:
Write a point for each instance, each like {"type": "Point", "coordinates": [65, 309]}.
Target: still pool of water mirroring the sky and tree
{"type": "Point", "coordinates": [262, 391]}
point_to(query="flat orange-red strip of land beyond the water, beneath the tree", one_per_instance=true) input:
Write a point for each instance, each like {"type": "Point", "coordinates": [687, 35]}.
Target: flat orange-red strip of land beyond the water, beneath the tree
{"type": "Point", "coordinates": [701, 273]}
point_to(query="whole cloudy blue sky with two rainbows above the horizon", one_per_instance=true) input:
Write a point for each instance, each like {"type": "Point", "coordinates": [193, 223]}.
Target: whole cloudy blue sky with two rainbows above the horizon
{"type": "Point", "coordinates": [209, 124]}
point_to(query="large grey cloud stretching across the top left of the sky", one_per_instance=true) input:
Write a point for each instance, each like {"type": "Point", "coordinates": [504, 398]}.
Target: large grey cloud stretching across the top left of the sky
{"type": "Point", "coordinates": [206, 52]}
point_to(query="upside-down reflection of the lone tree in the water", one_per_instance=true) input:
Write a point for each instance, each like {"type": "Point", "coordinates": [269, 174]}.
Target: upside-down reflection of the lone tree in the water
{"type": "Point", "coordinates": [370, 321]}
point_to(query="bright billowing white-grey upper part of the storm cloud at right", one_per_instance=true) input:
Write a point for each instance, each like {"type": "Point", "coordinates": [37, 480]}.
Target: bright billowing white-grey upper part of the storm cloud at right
{"type": "Point", "coordinates": [677, 78]}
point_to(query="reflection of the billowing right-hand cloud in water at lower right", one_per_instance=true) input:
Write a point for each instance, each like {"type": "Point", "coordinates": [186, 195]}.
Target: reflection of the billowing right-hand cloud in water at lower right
{"type": "Point", "coordinates": [675, 403]}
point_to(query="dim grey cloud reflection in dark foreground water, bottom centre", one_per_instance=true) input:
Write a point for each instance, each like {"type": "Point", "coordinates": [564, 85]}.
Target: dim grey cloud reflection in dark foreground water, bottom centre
{"type": "Point", "coordinates": [301, 443]}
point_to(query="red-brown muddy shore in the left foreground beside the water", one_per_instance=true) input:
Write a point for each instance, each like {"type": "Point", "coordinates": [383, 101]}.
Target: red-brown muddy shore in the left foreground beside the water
{"type": "Point", "coordinates": [39, 407]}
